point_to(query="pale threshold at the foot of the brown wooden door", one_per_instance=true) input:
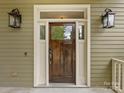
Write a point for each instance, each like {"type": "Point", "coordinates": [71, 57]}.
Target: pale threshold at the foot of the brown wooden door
{"type": "Point", "coordinates": [62, 85]}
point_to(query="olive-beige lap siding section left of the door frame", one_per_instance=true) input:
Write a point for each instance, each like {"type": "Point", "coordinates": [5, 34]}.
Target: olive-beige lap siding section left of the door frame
{"type": "Point", "coordinates": [16, 69]}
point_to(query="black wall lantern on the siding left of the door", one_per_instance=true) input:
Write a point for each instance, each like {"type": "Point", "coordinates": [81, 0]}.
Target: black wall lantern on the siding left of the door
{"type": "Point", "coordinates": [14, 18]}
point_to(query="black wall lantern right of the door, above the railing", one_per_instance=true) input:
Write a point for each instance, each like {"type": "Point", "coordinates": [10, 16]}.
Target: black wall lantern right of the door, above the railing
{"type": "Point", "coordinates": [108, 18]}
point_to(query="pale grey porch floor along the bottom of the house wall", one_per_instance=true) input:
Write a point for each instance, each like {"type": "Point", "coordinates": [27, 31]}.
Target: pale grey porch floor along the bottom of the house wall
{"type": "Point", "coordinates": [54, 90]}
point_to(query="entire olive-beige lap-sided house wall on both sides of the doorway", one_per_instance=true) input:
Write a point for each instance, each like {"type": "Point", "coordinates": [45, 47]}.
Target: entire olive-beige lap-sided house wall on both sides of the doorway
{"type": "Point", "coordinates": [16, 69]}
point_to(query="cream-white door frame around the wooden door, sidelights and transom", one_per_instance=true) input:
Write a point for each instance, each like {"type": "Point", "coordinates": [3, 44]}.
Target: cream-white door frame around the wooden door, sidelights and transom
{"type": "Point", "coordinates": [37, 21]}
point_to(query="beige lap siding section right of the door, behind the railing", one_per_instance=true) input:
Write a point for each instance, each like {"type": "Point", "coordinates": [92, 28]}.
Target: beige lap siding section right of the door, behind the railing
{"type": "Point", "coordinates": [105, 43]}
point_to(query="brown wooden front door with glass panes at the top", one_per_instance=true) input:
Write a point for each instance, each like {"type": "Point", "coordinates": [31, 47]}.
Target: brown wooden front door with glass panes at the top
{"type": "Point", "coordinates": [62, 52]}
